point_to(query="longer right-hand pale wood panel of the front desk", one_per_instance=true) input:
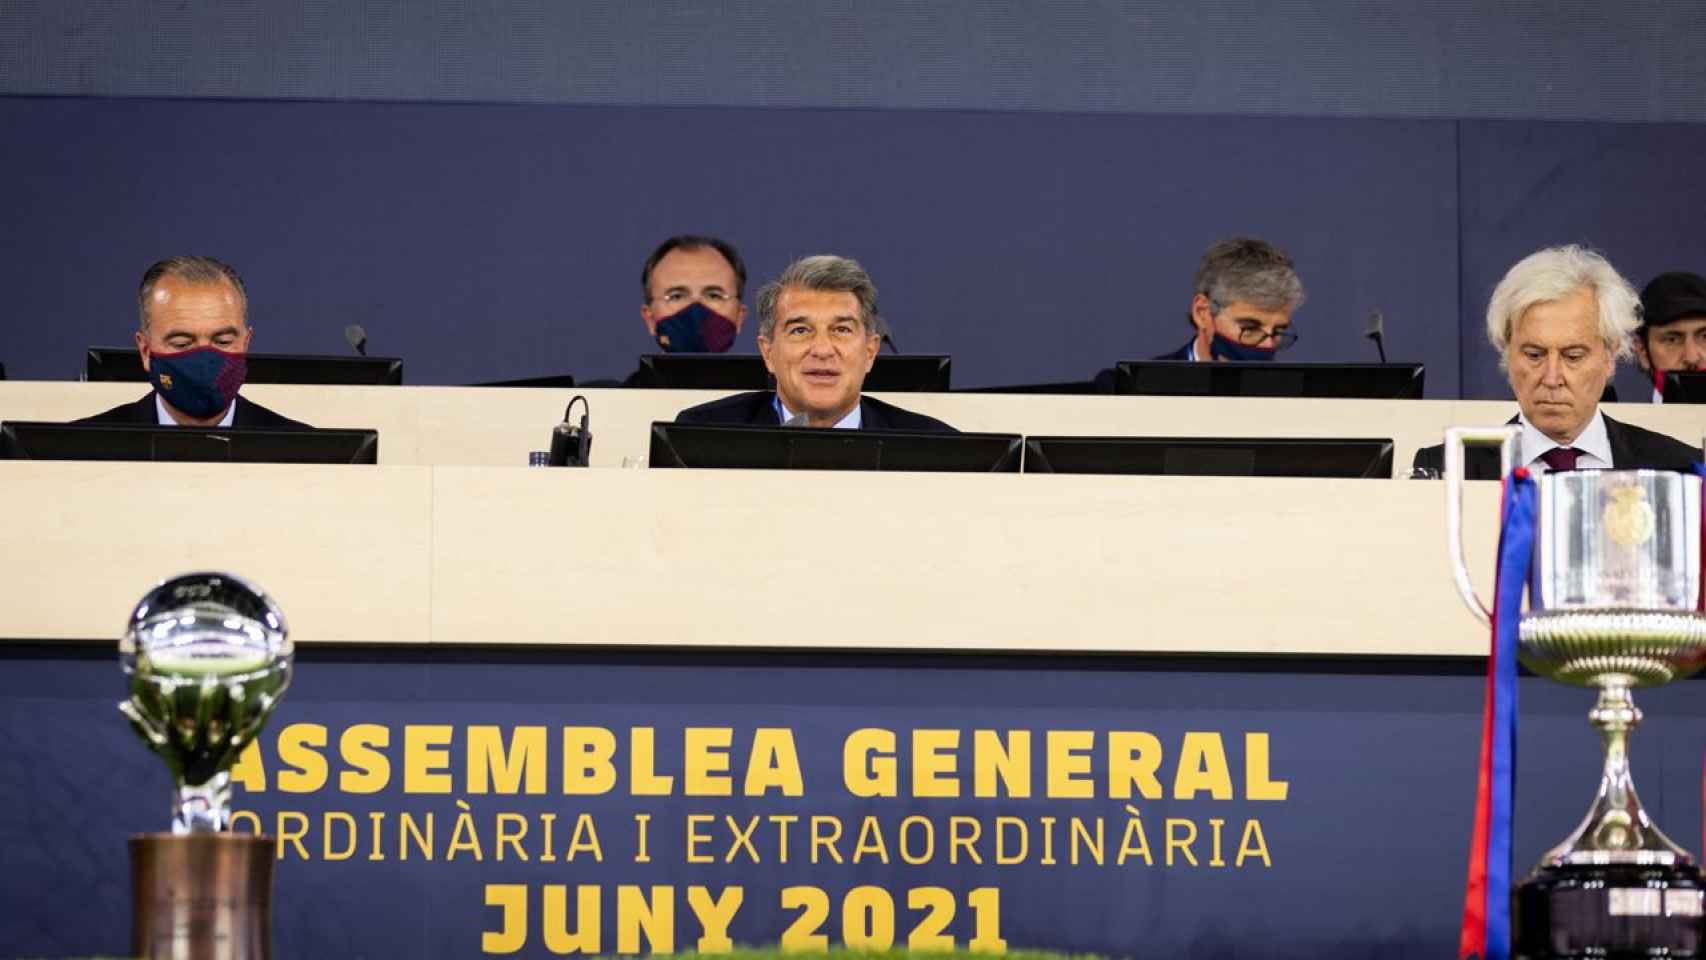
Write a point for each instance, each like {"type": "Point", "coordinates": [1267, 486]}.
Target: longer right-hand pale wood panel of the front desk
{"type": "Point", "coordinates": [1019, 564]}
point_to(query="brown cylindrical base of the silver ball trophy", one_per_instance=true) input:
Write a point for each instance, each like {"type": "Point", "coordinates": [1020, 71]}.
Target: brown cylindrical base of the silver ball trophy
{"type": "Point", "coordinates": [202, 898]}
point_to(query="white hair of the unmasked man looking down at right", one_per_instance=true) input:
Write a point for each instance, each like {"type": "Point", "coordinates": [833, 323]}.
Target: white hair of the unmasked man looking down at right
{"type": "Point", "coordinates": [1553, 275]}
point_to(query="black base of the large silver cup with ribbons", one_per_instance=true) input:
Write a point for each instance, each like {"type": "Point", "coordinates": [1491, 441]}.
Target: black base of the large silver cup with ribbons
{"type": "Point", "coordinates": [1610, 913]}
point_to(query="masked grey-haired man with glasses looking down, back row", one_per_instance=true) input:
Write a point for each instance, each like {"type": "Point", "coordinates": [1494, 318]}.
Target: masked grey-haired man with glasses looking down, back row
{"type": "Point", "coordinates": [1241, 308]}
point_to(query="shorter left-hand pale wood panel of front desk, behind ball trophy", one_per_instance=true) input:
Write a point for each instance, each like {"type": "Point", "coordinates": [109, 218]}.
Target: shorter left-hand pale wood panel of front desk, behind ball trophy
{"type": "Point", "coordinates": [344, 550]}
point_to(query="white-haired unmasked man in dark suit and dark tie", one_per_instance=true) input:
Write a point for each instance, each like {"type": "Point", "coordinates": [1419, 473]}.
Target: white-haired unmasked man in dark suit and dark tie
{"type": "Point", "coordinates": [1560, 321]}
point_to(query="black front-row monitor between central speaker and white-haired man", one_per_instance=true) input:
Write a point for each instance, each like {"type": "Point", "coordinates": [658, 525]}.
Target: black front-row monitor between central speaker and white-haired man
{"type": "Point", "coordinates": [1197, 456]}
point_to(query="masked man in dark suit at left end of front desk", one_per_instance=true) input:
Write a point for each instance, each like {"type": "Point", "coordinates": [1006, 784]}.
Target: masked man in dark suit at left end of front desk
{"type": "Point", "coordinates": [194, 342]}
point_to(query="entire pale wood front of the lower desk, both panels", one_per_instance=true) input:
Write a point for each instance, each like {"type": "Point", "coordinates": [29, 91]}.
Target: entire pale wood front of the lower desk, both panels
{"type": "Point", "coordinates": [753, 560]}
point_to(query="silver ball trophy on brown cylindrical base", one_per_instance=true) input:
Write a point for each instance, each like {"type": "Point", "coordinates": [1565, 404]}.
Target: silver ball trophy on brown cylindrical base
{"type": "Point", "coordinates": [207, 657]}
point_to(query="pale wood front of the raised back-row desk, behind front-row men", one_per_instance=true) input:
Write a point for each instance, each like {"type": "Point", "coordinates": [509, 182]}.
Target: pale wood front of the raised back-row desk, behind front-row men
{"type": "Point", "coordinates": [496, 427]}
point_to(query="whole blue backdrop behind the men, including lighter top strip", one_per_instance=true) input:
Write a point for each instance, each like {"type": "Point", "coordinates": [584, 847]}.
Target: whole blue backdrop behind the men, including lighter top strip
{"type": "Point", "coordinates": [1031, 185]}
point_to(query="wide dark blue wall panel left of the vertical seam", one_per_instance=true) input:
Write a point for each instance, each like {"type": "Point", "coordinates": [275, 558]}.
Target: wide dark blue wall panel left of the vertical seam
{"type": "Point", "coordinates": [506, 241]}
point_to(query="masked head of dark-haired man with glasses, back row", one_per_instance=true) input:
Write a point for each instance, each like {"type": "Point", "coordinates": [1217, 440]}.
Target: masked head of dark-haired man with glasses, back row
{"type": "Point", "coordinates": [693, 291]}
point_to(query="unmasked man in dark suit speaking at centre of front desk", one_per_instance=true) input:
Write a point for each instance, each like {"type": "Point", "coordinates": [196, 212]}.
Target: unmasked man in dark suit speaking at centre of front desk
{"type": "Point", "coordinates": [818, 330]}
